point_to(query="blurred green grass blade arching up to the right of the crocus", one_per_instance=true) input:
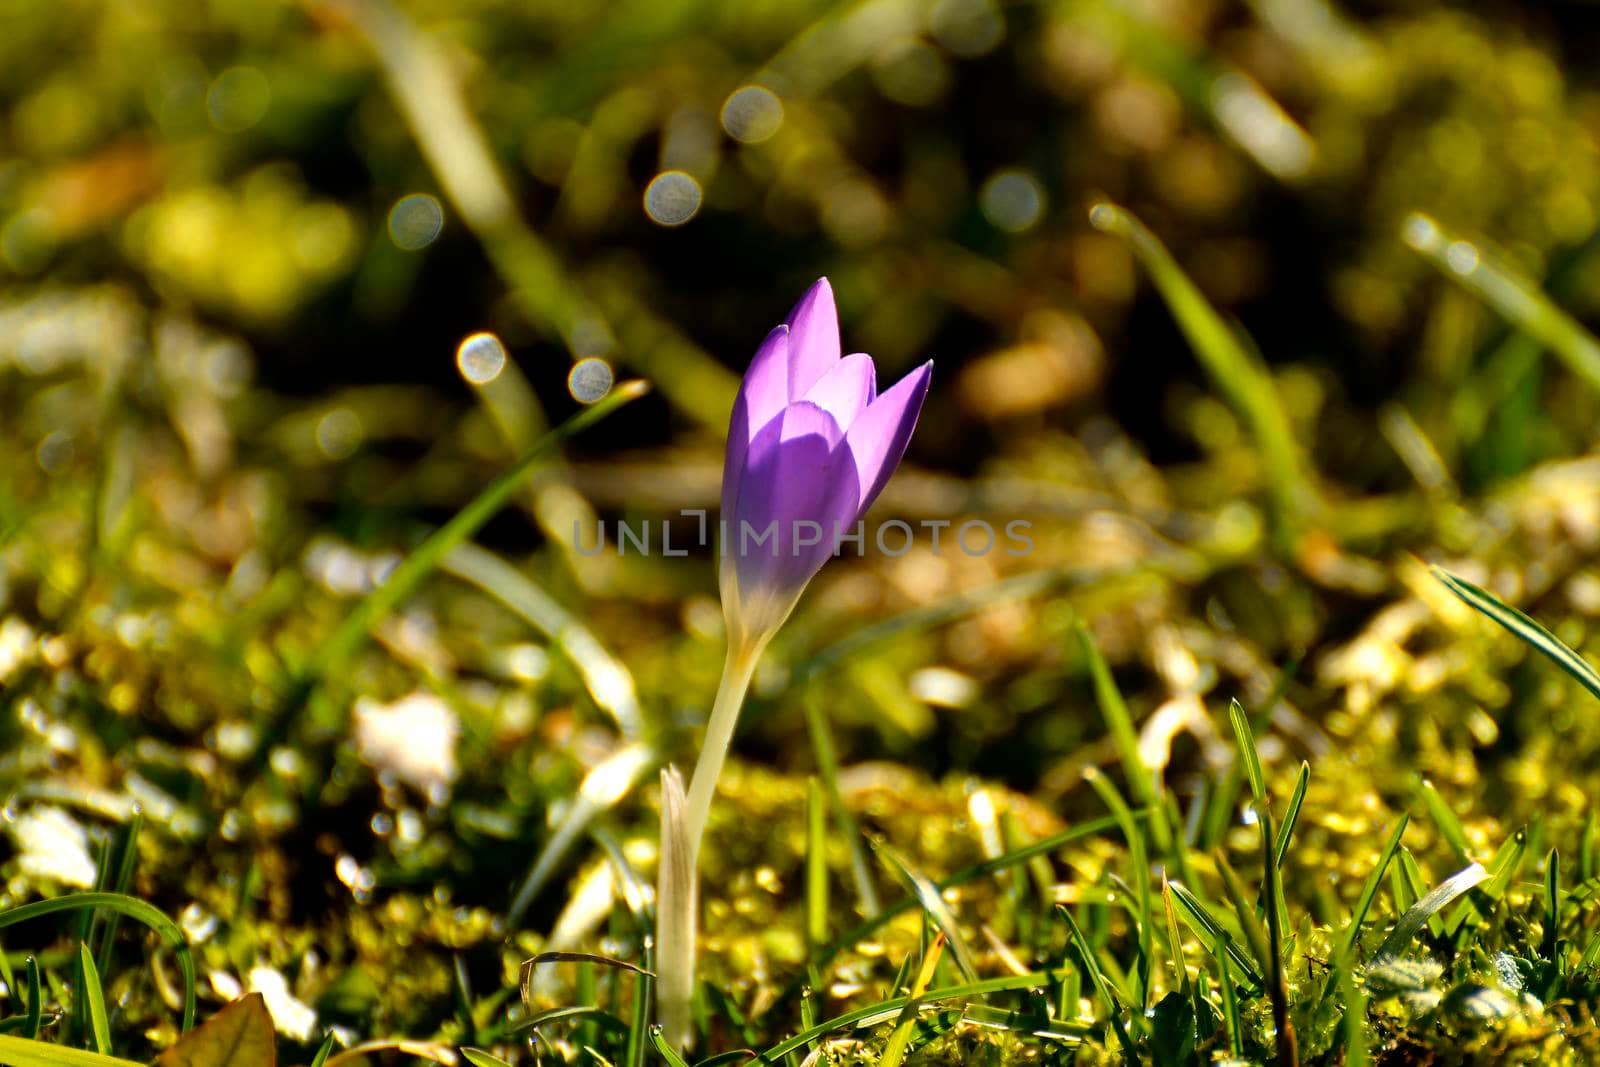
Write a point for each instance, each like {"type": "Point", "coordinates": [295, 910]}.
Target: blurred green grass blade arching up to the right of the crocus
{"type": "Point", "coordinates": [1238, 375]}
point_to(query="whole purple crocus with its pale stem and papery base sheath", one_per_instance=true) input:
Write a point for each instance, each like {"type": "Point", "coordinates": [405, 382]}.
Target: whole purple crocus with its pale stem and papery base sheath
{"type": "Point", "coordinates": [810, 447]}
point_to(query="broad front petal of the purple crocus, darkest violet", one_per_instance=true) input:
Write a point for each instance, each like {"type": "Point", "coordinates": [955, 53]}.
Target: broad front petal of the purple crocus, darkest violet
{"type": "Point", "coordinates": [798, 474]}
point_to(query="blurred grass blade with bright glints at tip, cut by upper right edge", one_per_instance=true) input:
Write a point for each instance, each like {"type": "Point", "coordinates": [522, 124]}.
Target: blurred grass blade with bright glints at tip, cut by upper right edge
{"type": "Point", "coordinates": [1521, 302]}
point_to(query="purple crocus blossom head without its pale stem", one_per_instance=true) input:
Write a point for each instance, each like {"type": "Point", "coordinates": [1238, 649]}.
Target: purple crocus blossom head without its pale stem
{"type": "Point", "coordinates": [810, 447]}
